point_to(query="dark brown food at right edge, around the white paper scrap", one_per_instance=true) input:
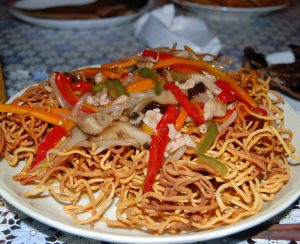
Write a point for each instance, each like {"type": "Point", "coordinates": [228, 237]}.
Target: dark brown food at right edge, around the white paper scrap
{"type": "Point", "coordinates": [285, 77]}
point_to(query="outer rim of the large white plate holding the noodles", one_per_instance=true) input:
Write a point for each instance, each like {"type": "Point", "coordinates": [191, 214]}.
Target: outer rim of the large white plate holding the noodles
{"type": "Point", "coordinates": [216, 233]}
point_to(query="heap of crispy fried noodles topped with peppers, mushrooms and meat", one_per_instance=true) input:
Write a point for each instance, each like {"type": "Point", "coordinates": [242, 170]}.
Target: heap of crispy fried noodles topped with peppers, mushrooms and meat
{"type": "Point", "coordinates": [167, 138]}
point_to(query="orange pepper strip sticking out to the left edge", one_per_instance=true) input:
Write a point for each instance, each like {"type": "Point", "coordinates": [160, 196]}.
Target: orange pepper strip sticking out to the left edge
{"type": "Point", "coordinates": [37, 113]}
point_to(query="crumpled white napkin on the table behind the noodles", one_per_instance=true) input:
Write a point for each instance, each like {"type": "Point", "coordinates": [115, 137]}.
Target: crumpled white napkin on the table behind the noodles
{"type": "Point", "coordinates": [162, 28]}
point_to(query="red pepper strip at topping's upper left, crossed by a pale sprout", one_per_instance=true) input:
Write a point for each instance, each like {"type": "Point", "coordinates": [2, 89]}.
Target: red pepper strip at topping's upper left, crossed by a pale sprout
{"type": "Point", "coordinates": [66, 91]}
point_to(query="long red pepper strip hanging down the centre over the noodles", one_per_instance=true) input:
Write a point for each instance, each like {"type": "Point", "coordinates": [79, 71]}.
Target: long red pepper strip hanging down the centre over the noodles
{"type": "Point", "coordinates": [158, 145]}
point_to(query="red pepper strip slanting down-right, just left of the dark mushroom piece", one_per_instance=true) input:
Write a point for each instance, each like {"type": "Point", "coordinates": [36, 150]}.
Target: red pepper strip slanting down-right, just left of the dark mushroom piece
{"type": "Point", "coordinates": [185, 103]}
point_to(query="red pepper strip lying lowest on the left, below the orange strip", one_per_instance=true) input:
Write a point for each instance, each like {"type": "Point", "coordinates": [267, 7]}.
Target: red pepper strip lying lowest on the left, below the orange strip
{"type": "Point", "coordinates": [49, 142]}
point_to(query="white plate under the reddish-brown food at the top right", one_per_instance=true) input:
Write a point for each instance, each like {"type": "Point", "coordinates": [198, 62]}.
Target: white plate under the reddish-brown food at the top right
{"type": "Point", "coordinates": [219, 12]}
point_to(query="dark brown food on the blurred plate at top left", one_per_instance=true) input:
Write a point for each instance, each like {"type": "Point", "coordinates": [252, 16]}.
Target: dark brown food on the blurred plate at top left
{"type": "Point", "coordinates": [95, 10]}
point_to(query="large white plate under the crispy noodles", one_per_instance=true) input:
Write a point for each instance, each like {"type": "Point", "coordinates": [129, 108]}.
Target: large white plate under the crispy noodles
{"type": "Point", "coordinates": [50, 212]}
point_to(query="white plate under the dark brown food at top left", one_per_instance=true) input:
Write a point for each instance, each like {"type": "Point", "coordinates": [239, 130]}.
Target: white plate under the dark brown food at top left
{"type": "Point", "coordinates": [80, 23]}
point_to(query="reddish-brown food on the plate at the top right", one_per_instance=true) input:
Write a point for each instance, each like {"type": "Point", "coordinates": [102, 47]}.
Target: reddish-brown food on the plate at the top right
{"type": "Point", "coordinates": [240, 3]}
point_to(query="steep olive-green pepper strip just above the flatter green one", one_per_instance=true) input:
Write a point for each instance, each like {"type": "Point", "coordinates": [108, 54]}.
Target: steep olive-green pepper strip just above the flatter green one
{"type": "Point", "coordinates": [208, 139]}
